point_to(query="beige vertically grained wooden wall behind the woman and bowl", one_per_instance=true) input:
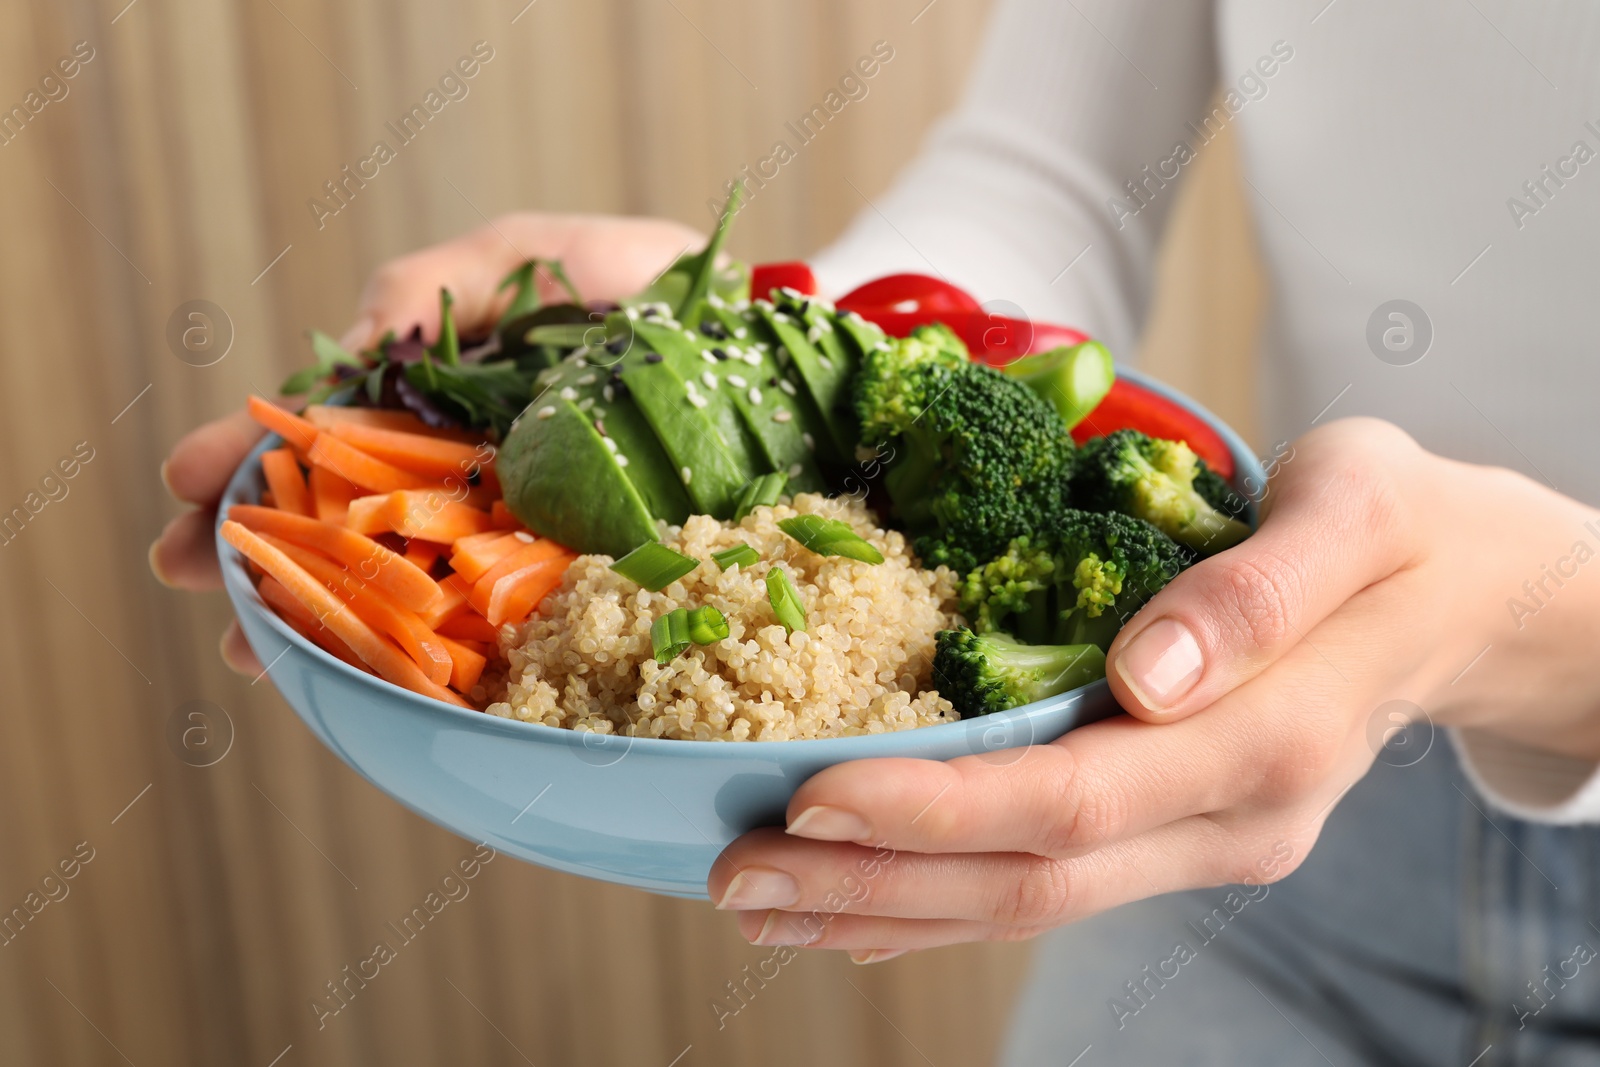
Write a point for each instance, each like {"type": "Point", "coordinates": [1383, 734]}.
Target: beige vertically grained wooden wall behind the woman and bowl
{"type": "Point", "coordinates": [180, 167]}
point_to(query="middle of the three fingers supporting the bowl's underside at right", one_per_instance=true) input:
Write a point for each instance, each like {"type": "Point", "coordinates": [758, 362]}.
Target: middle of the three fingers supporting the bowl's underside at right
{"type": "Point", "coordinates": [769, 869]}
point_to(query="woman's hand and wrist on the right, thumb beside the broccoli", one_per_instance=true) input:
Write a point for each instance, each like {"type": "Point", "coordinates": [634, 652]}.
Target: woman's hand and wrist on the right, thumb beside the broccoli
{"type": "Point", "coordinates": [1254, 685]}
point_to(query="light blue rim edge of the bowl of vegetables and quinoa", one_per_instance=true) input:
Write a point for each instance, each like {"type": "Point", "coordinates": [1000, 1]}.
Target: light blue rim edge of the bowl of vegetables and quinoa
{"type": "Point", "coordinates": [244, 596]}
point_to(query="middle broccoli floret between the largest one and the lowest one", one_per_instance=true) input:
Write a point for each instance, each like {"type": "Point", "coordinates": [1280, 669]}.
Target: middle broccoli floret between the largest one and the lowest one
{"type": "Point", "coordinates": [1076, 586]}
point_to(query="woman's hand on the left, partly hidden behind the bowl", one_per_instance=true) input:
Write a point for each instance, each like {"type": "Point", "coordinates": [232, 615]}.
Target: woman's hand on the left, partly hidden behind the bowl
{"type": "Point", "coordinates": [604, 257]}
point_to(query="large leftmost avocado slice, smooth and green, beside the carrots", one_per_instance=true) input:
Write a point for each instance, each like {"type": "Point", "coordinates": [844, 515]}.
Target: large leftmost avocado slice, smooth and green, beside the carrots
{"type": "Point", "coordinates": [564, 484]}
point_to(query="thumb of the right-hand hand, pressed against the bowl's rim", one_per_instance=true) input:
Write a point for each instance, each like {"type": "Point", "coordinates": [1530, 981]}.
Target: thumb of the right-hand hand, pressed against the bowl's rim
{"type": "Point", "coordinates": [1337, 527]}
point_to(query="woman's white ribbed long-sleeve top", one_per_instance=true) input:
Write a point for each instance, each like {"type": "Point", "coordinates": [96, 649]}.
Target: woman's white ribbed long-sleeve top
{"type": "Point", "coordinates": [1438, 153]}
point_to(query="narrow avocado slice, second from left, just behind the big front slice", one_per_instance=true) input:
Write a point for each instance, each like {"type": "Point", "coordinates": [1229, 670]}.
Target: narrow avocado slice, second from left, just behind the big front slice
{"type": "Point", "coordinates": [594, 385]}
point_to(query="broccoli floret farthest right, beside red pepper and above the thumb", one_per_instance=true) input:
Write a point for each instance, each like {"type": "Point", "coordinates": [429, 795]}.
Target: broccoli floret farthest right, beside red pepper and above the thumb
{"type": "Point", "coordinates": [1153, 479]}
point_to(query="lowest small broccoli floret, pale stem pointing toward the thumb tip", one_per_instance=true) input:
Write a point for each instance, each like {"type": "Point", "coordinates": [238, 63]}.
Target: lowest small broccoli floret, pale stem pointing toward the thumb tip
{"type": "Point", "coordinates": [991, 673]}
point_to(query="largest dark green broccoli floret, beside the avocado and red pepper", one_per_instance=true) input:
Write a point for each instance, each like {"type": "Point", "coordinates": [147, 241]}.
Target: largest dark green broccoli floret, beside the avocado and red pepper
{"type": "Point", "coordinates": [977, 458]}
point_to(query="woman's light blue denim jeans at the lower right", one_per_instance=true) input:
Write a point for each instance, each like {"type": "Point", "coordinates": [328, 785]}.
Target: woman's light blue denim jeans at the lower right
{"type": "Point", "coordinates": [1426, 929]}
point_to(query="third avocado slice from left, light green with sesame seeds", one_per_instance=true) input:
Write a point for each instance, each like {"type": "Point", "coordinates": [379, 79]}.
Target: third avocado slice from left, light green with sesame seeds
{"type": "Point", "coordinates": [687, 433]}
